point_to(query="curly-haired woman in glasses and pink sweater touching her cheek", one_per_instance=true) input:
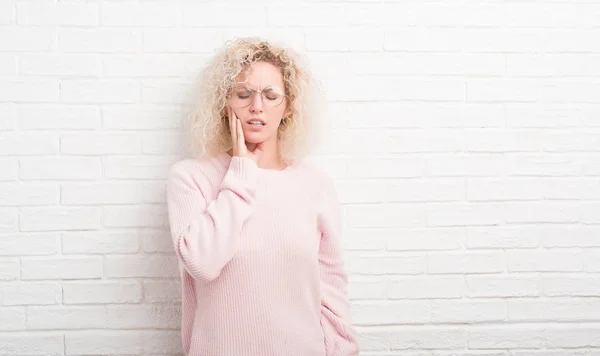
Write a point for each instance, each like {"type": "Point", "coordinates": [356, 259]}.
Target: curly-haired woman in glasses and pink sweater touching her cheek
{"type": "Point", "coordinates": [256, 229]}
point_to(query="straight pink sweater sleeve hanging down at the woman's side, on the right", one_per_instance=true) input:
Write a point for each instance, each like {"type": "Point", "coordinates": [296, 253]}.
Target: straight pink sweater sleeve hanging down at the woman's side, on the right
{"type": "Point", "coordinates": [340, 335]}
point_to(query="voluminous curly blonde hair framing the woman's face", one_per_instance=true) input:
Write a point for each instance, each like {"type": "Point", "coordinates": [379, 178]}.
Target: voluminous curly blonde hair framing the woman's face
{"type": "Point", "coordinates": [208, 125]}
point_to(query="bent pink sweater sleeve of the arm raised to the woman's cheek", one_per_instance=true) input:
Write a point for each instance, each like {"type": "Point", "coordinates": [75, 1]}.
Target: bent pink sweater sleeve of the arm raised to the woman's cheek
{"type": "Point", "coordinates": [205, 232]}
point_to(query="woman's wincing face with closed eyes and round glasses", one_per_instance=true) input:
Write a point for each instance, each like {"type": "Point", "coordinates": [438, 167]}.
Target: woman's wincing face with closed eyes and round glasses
{"type": "Point", "coordinates": [259, 95]}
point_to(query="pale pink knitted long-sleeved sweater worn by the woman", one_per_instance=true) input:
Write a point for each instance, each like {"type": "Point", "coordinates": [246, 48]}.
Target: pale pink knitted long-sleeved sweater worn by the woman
{"type": "Point", "coordinates": [261, 265]}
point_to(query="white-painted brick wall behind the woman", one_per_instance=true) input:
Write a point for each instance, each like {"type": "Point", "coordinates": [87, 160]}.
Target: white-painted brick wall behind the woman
{"type": "Point", "coordinates": [466, 151]}
